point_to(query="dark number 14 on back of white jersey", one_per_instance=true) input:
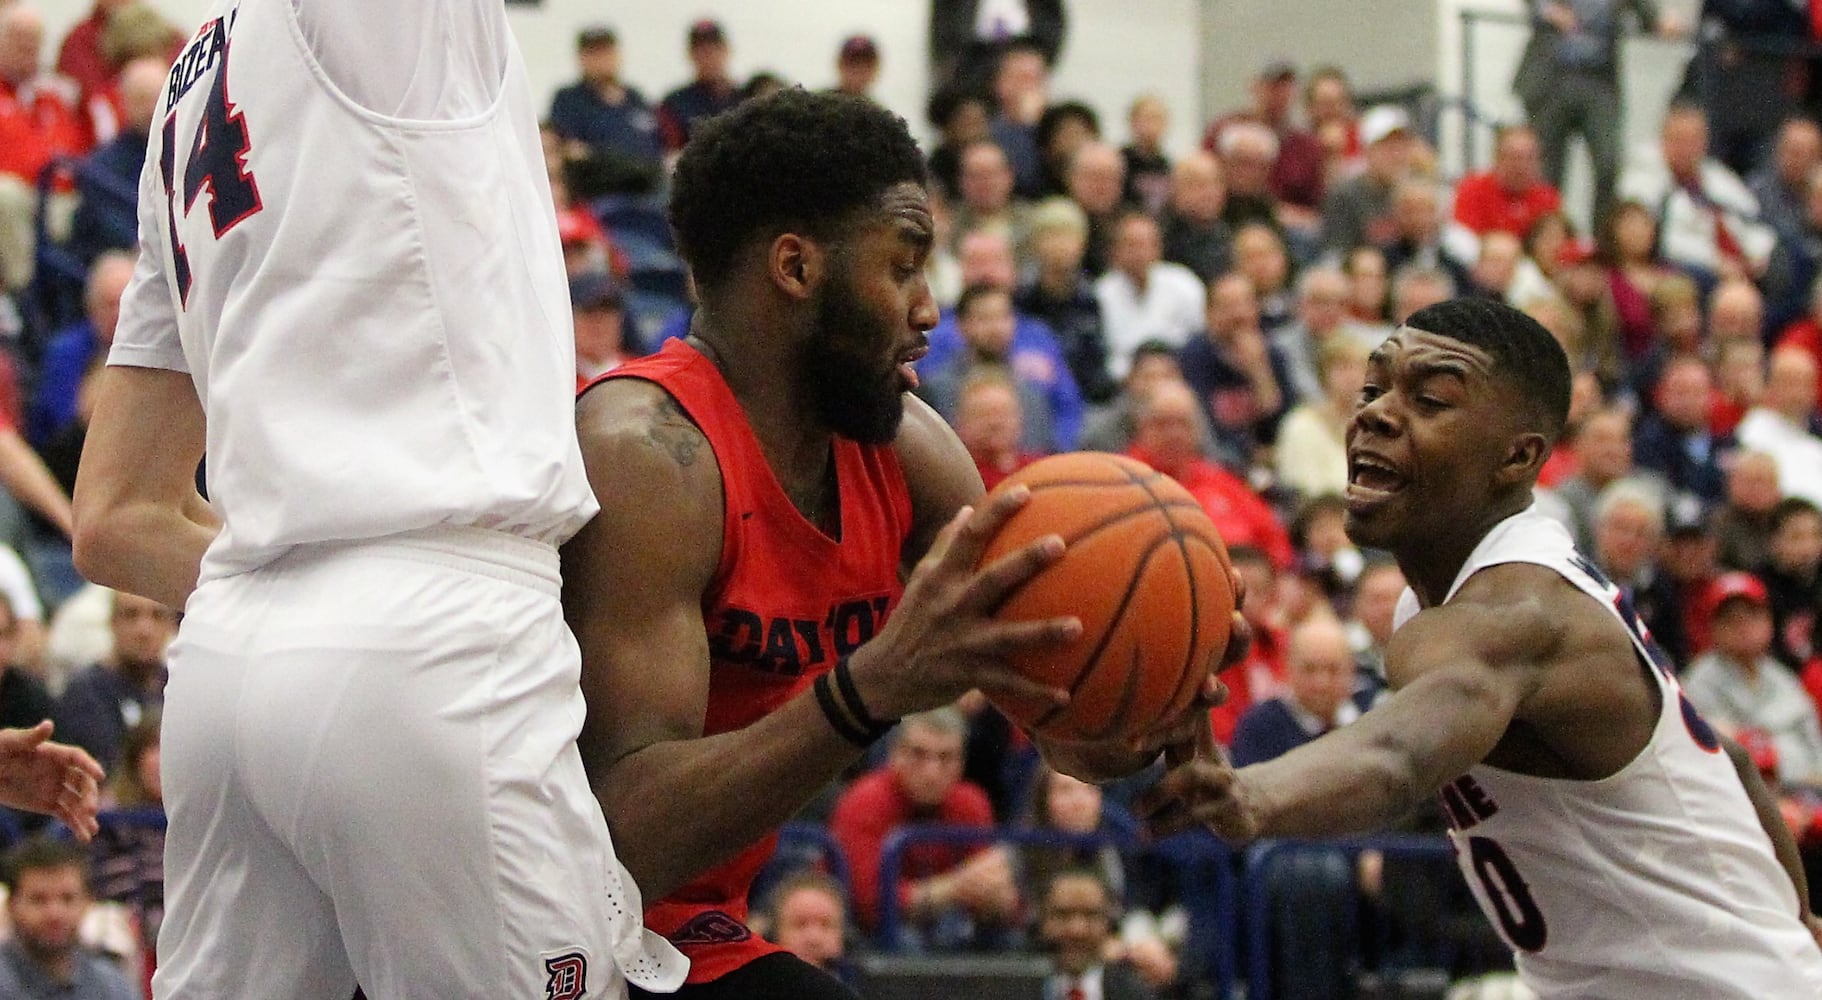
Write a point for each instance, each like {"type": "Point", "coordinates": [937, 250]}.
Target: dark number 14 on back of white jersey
{"type": "Point", "coordinates": [216, 161]}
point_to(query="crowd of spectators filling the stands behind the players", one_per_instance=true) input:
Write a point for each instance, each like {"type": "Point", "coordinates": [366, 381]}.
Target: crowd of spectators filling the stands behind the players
{"type": "Point", "coordinates": [1207, 311]}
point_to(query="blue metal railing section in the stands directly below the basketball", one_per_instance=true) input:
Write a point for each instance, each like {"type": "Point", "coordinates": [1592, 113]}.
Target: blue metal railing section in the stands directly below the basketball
{"type": "Point", "coordinates": [1205, 862]}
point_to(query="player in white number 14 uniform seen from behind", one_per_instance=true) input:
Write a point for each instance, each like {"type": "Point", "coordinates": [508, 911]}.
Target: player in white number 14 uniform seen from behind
{"type": "Point", "coordinates": [351, 292]}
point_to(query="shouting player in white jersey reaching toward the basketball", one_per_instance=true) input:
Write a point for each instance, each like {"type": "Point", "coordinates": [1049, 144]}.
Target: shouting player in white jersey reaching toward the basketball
{"type": "Point", "coordinates": [1613, 839]}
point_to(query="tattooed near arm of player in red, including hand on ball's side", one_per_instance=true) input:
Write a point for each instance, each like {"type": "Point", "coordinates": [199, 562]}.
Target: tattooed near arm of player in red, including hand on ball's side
{"type": "Point", "coordinates": [681, 802]}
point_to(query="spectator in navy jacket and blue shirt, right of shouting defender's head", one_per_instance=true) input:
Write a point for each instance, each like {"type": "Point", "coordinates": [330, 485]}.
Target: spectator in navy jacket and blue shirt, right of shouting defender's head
{"type": "Point", "coordinates": [1675, 440]}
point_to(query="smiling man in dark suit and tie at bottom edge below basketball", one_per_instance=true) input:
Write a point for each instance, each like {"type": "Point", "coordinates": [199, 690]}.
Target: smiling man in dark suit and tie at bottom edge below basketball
{"type": "Point", "coordinates": [1076, 926]}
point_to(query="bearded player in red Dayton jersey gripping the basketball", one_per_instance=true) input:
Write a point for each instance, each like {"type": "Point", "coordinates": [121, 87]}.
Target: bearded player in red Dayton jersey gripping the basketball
{"type": "Point", "coordinates": [786, 551]}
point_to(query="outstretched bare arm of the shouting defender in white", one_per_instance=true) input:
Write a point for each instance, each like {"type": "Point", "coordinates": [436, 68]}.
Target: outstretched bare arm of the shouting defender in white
{"type": "Point", "coordinates": [1462, 673]}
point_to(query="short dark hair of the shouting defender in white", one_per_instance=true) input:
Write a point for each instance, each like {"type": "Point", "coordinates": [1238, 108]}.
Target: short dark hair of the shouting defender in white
{"type": "Point", "coordinates": [1524, 354]}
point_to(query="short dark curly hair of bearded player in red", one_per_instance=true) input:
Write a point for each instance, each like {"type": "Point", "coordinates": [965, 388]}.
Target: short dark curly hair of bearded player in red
{"type": "Point", "coordinates": [795, 159]}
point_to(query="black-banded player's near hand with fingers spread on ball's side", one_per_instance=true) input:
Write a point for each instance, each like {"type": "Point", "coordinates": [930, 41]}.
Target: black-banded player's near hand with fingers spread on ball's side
{"type": "Point", "coordinates": [945, 640]}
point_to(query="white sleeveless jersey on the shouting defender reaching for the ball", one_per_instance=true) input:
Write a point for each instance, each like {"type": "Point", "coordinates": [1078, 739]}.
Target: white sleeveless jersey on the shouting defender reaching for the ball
{"type": "Point", "coordinates": [1655, 883]}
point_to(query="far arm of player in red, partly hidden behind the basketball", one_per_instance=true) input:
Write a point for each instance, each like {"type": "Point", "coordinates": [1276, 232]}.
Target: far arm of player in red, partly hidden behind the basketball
{"type": "Point", "coordinates": [943, 480]}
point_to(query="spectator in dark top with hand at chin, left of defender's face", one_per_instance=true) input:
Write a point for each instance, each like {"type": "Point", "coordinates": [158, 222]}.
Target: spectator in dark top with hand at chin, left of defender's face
{"type": "Point", "coordinates": [1242, 378]}
